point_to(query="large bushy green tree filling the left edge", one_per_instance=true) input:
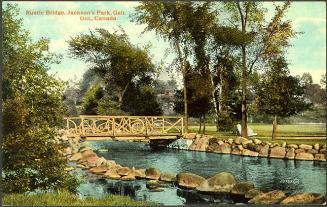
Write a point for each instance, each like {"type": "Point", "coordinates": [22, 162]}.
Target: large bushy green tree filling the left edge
{"type": "Point", "coordinates": [32, 113]}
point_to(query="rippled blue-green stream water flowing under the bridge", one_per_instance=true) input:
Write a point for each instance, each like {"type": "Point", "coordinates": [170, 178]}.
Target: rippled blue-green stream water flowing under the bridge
{"type": "Point", "coordinates": [267, 174]}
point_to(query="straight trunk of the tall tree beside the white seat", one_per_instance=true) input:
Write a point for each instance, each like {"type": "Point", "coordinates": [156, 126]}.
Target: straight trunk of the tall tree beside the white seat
{"type": "Point", "coordinates": [244, 122]}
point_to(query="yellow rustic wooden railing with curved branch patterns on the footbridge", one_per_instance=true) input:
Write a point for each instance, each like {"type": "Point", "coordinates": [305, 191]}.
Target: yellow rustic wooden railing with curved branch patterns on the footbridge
{"type": "Point", "coordinates": [125, 125]}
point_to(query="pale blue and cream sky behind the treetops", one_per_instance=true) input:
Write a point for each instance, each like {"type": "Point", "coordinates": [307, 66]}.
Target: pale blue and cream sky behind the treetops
{"type": "Point", "coordinates": [307, 54]}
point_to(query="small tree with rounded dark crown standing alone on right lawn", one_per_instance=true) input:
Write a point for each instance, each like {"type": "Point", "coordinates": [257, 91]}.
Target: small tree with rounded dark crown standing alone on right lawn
{"type": "Point", "coordinates": [280, 94]}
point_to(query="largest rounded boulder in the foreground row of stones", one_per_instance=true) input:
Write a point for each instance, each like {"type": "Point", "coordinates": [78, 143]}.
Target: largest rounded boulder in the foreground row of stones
{"type": "Point", "coordinates": [221, 182]}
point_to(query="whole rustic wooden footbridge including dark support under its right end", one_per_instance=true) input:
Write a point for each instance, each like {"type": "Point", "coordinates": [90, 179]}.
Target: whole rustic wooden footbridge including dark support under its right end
{"type": "Point", "coordinates": [159, 131]}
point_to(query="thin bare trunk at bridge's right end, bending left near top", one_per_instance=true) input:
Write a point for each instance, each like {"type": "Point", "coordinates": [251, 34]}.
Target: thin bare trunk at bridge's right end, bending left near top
{"type": "Point", "coordinates": [184, 72]}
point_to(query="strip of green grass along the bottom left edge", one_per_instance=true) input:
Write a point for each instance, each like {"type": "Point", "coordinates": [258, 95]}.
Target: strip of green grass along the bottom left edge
{"type": "Point", "coordinates": [68, 199]}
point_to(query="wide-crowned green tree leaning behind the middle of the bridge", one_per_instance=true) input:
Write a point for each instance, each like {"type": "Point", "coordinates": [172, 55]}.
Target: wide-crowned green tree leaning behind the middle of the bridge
{"type": "Point", "coordinates": [113, 58]}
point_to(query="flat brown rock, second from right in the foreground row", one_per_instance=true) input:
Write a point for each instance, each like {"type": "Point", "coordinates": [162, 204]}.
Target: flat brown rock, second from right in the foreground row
{"type": "Point", "coordinates": [272, 197]}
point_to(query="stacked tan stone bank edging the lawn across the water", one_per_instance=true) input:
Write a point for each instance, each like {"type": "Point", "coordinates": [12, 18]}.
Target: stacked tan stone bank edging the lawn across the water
{"type": "Point", "coordinates": [250, 147]}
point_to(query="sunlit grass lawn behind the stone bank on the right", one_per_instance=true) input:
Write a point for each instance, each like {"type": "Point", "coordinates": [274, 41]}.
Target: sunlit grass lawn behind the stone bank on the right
{"type": "Point", "coordinates": [292, 134]}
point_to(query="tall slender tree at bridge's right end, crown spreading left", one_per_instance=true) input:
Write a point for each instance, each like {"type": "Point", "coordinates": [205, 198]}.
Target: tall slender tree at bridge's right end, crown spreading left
{"type": "Point", "coordinates": [168, 20]}
